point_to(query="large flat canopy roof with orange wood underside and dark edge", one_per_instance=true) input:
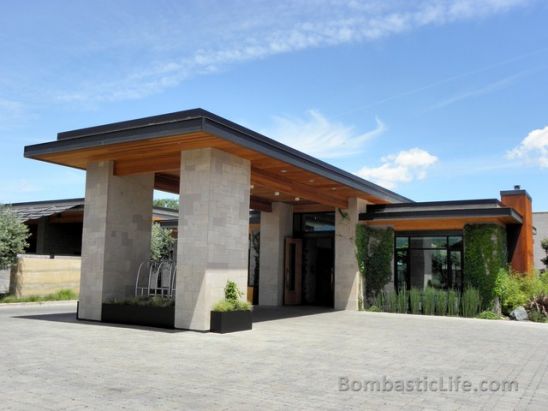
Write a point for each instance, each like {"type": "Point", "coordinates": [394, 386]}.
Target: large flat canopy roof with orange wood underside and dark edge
{"type": "Point", "coordinates": [153, 144]}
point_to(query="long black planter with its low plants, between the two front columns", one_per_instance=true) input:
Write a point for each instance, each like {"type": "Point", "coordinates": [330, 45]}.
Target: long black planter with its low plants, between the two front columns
{"type": "Point", "coordinates": [152, 312]}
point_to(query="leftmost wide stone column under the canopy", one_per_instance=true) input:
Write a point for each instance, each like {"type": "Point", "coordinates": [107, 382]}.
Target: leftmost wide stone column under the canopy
{"type": "Point", "coordinates": [116, 235]}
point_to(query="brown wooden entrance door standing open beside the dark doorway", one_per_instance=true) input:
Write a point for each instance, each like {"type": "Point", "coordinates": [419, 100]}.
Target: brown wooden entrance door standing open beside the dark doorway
{"type": "Point", "coordinates": [293, 271]}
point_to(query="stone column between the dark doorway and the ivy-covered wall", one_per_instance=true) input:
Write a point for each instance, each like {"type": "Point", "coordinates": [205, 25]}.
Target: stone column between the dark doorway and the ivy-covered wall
{"type": "Point", "coordinates": [346, 267]}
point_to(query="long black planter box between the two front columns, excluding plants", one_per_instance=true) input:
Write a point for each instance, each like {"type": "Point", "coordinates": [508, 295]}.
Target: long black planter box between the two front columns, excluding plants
{"type": "Point", "coordinates": [162, 317]}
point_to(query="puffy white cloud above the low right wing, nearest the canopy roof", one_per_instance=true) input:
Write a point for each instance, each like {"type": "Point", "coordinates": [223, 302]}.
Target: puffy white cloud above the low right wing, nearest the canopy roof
{"type": "Point", "coordinates": [403, 167]}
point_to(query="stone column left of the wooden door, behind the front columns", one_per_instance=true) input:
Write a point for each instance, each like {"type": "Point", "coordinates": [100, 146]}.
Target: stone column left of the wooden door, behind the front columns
{"type": "Point", "coordinates": [275, 227]}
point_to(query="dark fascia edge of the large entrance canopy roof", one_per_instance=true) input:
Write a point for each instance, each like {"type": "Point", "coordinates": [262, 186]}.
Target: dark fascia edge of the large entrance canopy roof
{"type": "Point", "coordinates": [198, 120]}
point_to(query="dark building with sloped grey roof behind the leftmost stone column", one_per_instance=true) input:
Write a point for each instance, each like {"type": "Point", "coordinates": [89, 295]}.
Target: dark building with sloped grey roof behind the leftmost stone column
{"type": "Point", "coordinates": [55, 226]}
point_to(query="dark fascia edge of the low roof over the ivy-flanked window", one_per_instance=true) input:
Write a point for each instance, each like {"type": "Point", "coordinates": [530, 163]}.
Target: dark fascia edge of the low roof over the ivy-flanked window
{"type": "Point", "coordinates": [463, 213]}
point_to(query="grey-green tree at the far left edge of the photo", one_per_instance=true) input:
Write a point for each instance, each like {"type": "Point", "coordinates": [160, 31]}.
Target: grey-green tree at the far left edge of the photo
{"type": "Point", "coordinates": [13, 237]}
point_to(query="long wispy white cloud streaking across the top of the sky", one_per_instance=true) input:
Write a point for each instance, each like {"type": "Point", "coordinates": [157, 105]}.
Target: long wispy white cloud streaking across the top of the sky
{"type": "Point", "coordinates": [284, 27]}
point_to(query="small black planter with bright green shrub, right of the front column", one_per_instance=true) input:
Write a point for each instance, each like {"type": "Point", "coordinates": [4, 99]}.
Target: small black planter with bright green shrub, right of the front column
{"type": "Point", "coordinates": [231, 314]}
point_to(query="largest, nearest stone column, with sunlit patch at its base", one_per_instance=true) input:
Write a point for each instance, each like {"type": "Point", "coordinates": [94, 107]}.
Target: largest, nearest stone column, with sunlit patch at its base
{"type": "Point", "coordinates": [213, 232]}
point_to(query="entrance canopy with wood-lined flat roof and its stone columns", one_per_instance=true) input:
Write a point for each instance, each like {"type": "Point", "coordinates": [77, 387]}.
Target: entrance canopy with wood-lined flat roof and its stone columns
{"type": "Point", "coordinates": [220, 170]}
